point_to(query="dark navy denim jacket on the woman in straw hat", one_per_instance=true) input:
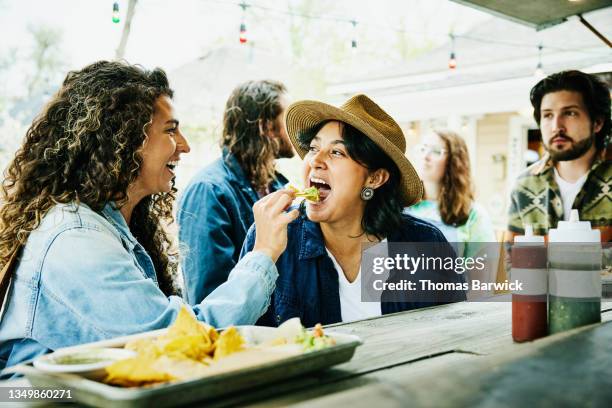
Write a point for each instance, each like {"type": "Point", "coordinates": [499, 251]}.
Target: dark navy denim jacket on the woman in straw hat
{"type": "Point", "coordinates": [307, 286]}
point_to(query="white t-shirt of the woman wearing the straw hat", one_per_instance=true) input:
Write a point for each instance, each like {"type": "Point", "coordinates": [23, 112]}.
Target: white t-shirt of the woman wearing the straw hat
{"type": "Point", "coordinates": [351, 306]}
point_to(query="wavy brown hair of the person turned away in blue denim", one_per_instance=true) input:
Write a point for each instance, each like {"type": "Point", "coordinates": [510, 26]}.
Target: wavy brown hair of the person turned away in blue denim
{"type": "Point", "coordinates": [250, 105]}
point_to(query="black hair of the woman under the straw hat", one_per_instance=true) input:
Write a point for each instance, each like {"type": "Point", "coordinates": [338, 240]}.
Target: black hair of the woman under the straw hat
{"type": "Point", "coordinates": [383, 213]}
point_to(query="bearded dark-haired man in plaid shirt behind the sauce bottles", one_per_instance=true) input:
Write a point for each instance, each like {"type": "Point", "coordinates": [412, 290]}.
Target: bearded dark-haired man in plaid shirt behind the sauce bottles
{"type": "Point", "coordinates": [572, 110]}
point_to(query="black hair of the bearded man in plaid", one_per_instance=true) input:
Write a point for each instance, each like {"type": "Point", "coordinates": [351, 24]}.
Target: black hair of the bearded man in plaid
{"type": "Point", "coordinates": [595, 94]}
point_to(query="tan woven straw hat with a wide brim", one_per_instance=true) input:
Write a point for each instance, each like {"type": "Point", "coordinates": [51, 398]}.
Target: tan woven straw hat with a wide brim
{"type": "Point", "coordinates": [366, 116]}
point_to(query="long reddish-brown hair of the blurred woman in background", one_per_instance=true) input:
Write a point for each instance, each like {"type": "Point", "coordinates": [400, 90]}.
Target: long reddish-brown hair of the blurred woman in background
{"type": "Point", "coordinates": [456, 189]}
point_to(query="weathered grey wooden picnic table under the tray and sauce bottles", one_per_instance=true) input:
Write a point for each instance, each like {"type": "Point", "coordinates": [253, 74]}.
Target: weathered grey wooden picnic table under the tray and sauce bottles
{"type": "Point", "coordinates": [453, 355]}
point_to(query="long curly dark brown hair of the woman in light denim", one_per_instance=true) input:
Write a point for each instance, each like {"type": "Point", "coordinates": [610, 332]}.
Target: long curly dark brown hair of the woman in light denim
{"type": "Point", "coordinates": [85, 148]}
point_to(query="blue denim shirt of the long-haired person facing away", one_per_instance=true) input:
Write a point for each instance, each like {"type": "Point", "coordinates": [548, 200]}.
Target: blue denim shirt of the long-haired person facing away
{"type": "Point", "coordinates": [214, 214]}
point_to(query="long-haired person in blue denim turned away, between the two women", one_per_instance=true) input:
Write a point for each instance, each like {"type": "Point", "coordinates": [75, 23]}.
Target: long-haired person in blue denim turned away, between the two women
{"type": "Point", "coordinates": [215, 210]}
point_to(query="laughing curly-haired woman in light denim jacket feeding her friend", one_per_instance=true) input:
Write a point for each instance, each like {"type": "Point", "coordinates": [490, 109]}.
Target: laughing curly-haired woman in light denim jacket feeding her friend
{"type": "Point", "coordinates": [83, 205]}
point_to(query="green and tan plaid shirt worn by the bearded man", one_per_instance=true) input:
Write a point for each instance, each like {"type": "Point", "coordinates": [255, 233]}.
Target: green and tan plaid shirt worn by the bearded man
{"type": "Point", "coordinates": [536, 199]}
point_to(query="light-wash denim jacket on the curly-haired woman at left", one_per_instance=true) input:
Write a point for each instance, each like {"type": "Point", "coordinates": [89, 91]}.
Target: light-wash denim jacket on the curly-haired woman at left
{"type": "Point", "coordinates": [83, 277]}
